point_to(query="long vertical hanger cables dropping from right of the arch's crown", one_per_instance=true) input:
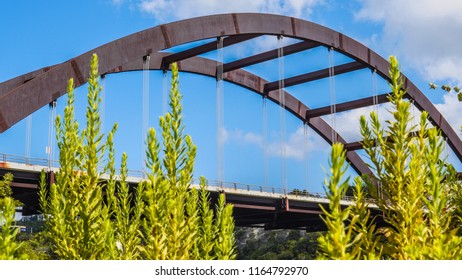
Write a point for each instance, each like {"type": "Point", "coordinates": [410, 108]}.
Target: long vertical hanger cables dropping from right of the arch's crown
{"type": "Point", "coordinates": [282, 110]}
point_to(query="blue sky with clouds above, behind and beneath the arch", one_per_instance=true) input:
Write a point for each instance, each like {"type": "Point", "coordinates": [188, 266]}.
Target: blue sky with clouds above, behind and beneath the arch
{"type": "Point", "coordinates": [425, 35]}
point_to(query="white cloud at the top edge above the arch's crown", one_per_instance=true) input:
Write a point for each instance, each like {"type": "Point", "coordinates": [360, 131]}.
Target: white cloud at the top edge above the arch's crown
{"type": "Point", "coordinates": [167, 10]}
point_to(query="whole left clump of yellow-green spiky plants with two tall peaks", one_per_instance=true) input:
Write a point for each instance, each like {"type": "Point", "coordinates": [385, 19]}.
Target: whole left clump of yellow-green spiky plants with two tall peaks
{"type": "Point", "coordinates": [164, 218]}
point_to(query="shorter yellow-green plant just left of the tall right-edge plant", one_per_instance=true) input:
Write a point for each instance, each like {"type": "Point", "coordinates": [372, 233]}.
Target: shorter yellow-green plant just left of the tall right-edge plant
{"type": "Point", "coordinates": [348, 235]}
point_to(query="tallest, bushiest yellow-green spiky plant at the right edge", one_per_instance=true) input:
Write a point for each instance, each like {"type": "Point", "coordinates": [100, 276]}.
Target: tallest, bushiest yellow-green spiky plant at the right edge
{"type": "Point", "coordinates": [411, 176]}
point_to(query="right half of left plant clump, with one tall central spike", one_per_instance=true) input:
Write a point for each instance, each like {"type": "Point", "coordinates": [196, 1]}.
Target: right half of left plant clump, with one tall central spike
{"type": "Point", "coordinates": [171, 230]}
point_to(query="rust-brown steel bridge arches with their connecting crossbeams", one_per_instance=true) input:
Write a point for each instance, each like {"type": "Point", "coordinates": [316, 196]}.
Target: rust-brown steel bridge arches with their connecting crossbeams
{"type": "Point", "coordinates": [21, 96]}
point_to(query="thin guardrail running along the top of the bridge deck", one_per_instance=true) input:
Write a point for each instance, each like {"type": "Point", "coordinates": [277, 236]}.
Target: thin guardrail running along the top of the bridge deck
{"type": "Point", "coordinates": [5, 158]}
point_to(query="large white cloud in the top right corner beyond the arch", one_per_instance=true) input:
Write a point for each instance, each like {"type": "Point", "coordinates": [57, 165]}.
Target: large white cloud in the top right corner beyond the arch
{"type": "Point", "coordinates": [424, 34]}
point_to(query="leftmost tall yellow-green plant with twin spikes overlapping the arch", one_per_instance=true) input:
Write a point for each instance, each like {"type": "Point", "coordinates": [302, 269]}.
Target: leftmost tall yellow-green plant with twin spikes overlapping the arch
{"type": "Point", "coordinates": [78, 220]}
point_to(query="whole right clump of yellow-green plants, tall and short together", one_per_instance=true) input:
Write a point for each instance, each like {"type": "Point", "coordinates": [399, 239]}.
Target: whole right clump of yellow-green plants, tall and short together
{"type": "Point", "coordinates": [409, 184]}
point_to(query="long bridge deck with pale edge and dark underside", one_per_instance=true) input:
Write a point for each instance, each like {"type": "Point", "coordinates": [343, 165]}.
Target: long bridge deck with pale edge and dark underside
{"type": "Point", "coordinates": [255, 206]}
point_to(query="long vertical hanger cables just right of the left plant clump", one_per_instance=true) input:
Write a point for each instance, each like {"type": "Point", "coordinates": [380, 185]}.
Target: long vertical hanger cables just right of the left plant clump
{"type": "Point", "coordinates": [220, 110]}
